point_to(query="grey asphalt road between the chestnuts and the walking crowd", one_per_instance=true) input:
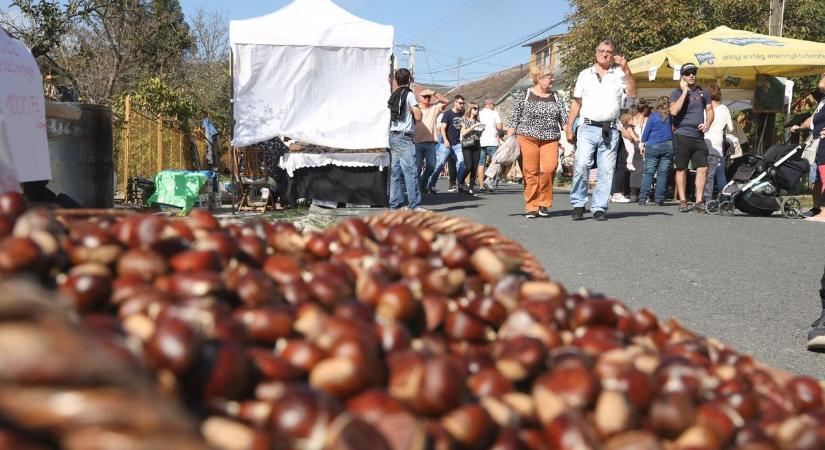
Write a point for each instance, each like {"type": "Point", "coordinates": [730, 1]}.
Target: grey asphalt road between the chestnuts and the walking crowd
{"type": "Point", "coordinates": [751, 282]}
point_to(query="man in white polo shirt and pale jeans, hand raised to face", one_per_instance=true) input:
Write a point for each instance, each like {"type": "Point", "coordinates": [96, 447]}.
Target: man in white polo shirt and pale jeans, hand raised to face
{"type": "Point", "coordinates": [597, 98]}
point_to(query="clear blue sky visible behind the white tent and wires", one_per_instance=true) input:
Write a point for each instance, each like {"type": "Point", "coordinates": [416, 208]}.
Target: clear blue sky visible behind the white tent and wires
{"type": "Point", "coordinates": [447, 29]}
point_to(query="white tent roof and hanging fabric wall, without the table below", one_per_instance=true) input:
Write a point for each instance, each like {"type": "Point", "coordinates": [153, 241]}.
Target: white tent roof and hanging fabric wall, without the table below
{"type": "Point", "coordinates": [314, 72]}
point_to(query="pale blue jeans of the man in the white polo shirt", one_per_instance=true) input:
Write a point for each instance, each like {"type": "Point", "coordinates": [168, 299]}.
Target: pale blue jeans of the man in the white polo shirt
{"type": "Point", "coordinates": [589, 143]}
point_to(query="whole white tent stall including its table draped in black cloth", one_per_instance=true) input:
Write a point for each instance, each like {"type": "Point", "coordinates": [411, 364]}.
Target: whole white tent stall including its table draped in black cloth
{"type": "Point", "coordinates": [323, 84]}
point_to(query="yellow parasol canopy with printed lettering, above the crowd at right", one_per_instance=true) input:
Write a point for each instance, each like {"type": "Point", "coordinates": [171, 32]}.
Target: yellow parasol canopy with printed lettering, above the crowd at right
{"type": "Point", "coordinates": [733, 58]}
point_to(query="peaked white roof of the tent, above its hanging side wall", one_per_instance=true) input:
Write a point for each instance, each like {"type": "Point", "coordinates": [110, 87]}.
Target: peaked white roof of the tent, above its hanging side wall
{"type": "Point", "coordinates": [319, 23]}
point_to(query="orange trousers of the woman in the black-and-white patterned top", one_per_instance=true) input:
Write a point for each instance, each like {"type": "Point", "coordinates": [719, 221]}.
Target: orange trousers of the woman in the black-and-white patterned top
{"type": "Point", "coordinates": [540, 160]}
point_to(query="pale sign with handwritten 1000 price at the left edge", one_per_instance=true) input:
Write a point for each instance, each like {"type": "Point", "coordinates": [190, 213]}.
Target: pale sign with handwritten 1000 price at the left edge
{"type": "Point", "coordinates": [23, 138]}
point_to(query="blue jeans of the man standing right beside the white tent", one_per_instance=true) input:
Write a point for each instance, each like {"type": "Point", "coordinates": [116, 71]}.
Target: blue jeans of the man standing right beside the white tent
{"type": "Point", "coordinates": [403, 173]}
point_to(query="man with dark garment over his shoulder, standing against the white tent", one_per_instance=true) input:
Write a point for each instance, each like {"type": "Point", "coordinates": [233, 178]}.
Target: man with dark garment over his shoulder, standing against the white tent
{"type": "Point", "coordinates": [404, 112]}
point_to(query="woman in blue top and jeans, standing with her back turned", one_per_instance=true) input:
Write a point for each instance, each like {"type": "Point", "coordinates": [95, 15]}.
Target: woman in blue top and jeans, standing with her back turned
{"type": "Point", "coordinates": [657, 148]}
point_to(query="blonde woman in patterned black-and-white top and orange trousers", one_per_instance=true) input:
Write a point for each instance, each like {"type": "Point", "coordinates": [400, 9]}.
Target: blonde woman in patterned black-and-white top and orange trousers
{"type": "Point", "coordinates": [535, 121]}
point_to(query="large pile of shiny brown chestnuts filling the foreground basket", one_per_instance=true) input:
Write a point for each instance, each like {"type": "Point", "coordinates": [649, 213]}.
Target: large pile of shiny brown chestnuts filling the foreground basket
{"type": "Point", "coordinates": [401, 331]}
